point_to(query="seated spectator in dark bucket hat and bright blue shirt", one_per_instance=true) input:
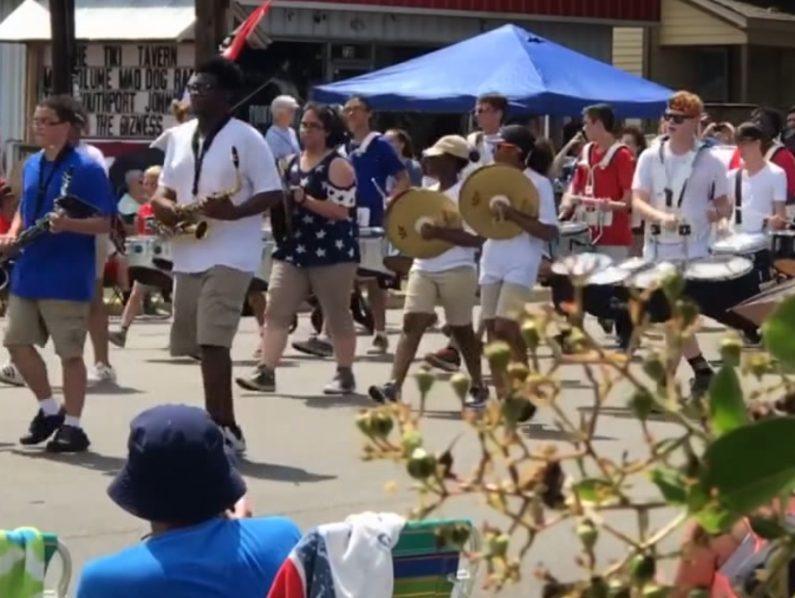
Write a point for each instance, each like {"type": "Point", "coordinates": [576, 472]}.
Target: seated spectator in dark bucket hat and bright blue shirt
{"type": "Point", "coordinates": [181, 479]}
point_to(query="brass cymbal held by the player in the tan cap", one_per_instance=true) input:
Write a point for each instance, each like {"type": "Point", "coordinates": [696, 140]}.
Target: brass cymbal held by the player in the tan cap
{"type": "Point", "coordinates": [409, 211]}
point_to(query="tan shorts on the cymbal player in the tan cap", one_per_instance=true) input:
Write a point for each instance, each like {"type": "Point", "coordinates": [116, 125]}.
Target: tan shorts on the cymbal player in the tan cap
{"type": "Point", "coordinates": [455, 290]}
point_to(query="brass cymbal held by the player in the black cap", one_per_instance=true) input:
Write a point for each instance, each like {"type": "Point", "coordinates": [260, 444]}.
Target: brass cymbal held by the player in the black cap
{"type": "Point", "coordinates": [489, 185]}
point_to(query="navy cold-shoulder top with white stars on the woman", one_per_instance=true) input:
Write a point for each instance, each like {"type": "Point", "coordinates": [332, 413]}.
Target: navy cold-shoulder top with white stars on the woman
{"type": "Point", "coordinates": [315, 240]}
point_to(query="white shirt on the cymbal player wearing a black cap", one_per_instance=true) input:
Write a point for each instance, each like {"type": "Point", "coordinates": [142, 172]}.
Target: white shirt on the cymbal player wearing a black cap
{"type": "Point", "coordinates": [517, 260]}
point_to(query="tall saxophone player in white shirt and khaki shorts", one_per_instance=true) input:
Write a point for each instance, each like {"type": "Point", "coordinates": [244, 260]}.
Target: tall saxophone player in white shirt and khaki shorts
{"type": "Point", "coordinates": [212, 276]}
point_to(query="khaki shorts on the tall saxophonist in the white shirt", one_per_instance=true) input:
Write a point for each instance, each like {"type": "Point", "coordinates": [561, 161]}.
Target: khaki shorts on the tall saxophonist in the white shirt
{"type": "Point", "coordinates": [207, 308]}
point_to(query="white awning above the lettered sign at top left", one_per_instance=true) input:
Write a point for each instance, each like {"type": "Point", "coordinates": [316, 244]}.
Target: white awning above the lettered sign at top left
{"type": "Point", "coordinates": [99, 20]}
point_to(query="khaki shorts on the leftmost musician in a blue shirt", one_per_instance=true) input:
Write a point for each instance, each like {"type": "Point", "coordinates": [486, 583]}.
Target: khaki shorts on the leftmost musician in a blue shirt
{"type": "Point", "coordinates": [33, 321]}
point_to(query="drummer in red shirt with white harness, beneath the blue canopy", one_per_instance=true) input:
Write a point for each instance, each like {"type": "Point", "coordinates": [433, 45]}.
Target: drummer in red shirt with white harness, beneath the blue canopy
{"type": "Point", "coordinates": [604, 176]}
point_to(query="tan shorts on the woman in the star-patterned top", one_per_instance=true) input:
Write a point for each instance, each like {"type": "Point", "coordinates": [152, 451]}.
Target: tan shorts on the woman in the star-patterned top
{"type": "Point", "coordinates": [289, 286]}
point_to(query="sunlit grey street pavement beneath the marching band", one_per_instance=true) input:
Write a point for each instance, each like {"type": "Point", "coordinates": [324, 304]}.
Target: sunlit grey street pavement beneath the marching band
{"type": "Point", "coordinates": [304, 450]}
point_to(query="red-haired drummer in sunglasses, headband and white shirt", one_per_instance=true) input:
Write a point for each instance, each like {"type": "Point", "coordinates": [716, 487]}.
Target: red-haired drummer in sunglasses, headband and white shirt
{"type": "Point", "coordinates": [681, 180]}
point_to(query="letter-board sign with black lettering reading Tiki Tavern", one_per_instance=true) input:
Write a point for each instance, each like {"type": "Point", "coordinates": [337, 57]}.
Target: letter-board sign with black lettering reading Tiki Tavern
{"type": "Point", "coordinates": [127, 89]}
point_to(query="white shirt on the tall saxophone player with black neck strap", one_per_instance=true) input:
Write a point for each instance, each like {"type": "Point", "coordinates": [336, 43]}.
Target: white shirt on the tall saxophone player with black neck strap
{"type": "Point", "coordinates": [236, 244]}
